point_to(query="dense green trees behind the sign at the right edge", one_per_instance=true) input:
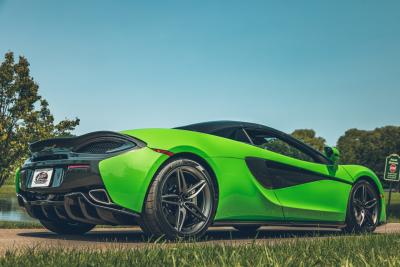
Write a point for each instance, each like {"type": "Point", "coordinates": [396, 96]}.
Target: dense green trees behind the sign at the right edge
{"type": "Point", "coordinates": [369, 148]}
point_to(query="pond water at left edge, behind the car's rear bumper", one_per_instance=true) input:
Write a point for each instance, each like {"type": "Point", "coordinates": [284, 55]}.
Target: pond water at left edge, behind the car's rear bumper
{"type": "Point", "coordinates": [10, 211]}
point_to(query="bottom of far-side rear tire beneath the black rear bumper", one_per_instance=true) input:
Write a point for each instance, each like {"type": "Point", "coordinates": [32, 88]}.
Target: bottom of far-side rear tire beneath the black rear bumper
{"type": "Point", "coordinates": [65, 228]}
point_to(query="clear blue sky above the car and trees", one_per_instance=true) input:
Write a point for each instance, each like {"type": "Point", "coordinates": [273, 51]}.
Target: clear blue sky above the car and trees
{"type": "Point", "coordinates": [326, 65]}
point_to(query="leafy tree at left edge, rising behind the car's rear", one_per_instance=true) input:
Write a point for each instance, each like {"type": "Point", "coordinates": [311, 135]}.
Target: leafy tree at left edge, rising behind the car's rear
{"type": "Point", "coordinates": [24, 115]}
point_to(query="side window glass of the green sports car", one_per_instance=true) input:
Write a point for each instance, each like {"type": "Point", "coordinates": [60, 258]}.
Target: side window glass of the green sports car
{"type": "Point", "coordinates": [275, 144]}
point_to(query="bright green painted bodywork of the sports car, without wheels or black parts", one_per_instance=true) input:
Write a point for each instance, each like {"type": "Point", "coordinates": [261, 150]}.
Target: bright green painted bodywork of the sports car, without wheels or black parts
{"type": "Point", "coordinates": [241, 197]}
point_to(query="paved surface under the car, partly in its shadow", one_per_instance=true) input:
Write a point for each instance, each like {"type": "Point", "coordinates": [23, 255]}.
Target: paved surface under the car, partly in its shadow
{"type": "Point", "coordinates": [106, 238]}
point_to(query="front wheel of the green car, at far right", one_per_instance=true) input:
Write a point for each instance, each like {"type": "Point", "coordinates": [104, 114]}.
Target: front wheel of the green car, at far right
{"type": "Point", "coordinates": [362, 217]}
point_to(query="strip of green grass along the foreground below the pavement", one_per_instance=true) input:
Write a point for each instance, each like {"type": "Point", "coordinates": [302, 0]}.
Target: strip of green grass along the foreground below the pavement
{"type": "Point", "coordinates": [368, 250]}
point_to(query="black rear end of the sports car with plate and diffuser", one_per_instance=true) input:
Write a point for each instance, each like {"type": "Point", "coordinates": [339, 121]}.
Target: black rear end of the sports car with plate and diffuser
{"type": "Point", "coordinates": [61, 180]}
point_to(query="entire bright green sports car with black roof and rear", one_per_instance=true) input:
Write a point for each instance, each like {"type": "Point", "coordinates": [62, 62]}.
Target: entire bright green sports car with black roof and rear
{"type": "Point", "coordinates": [178, 182]}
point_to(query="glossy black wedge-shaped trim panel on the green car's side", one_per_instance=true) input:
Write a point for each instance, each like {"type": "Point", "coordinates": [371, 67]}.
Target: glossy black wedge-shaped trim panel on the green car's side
{"type": "Point", "coordinates": [275, 175]}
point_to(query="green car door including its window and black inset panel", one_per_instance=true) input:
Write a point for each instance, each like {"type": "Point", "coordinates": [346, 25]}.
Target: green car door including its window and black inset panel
{"type": "Point", "coordinates": [307, 186]}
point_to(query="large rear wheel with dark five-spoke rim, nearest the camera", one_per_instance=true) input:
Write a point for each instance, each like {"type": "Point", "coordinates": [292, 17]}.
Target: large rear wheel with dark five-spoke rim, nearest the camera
{"type": "Point", "coordinates": [169, 208]}
